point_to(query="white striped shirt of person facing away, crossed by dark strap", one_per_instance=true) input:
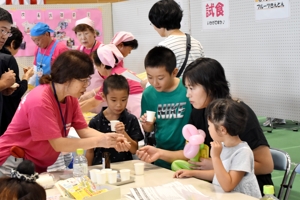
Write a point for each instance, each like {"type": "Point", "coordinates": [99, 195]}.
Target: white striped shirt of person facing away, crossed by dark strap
{"type": "Point", "coordinates": [177, 43]}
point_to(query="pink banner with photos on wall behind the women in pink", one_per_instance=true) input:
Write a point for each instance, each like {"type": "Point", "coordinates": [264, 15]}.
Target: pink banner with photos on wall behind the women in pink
{"type": "Point", "coordinates": [62, 21]}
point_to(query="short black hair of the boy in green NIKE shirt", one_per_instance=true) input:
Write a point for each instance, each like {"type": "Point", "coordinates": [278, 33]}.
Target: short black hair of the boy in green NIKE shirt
{"type": "Point", "coordinates": [161, 57]}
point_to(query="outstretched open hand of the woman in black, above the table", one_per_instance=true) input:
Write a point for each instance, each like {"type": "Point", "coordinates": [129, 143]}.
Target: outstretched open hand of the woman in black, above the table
{"type": "Point", "coordinates": [148, 154]}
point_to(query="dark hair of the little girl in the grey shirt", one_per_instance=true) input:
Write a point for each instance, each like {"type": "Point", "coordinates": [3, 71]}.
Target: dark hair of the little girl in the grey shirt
{"type": "Point", "coordinates": [228, 113]}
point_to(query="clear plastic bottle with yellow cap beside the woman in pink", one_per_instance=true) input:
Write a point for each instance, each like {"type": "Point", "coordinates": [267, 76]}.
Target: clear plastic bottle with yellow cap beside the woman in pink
{"type": "Point", "coordinates": [80, 166]}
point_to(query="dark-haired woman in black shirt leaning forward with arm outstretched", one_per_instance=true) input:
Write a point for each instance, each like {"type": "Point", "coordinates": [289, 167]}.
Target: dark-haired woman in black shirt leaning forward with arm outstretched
{"type": "Point", "coordinates": [205, 81]}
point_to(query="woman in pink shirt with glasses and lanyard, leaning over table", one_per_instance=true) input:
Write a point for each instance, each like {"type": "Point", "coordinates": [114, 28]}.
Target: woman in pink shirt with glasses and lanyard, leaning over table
{"type": "Point", "coordinates": [39, 129]}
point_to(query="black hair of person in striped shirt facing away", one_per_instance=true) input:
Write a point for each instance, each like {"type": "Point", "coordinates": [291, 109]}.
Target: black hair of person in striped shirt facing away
{"type": "Point", "coordinates": [166, 14]}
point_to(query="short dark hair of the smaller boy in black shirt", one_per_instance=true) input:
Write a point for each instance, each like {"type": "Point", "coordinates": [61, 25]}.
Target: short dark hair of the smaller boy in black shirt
{"type": "Point", "coordinates": [115, 82]}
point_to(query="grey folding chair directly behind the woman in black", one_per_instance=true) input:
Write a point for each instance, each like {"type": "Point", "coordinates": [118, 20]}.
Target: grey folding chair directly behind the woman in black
{"type": "Point", "coordinates": [282, 162]}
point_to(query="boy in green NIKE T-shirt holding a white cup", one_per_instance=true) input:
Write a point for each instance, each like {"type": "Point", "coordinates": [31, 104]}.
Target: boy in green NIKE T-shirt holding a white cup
{"type": "Point", "coordinates": [167, 97]}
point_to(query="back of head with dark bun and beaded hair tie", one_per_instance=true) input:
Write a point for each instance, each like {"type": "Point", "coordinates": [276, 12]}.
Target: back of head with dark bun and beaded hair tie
{"type": "Point", "coordinates": [22, 184]}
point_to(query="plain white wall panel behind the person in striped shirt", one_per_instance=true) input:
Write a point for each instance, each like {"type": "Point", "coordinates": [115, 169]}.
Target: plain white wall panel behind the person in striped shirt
{"type": "Point", "coordinates": [132, 16]}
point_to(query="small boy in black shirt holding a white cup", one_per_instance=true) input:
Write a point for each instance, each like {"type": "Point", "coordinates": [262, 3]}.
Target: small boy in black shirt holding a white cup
{"type": "Point", "coordinates": [115, 93]}
